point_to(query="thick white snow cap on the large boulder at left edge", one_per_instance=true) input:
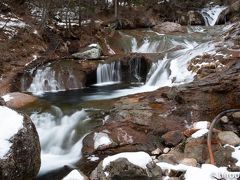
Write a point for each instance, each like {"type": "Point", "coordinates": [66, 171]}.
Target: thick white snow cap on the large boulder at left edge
{"type": "Point", "coordinates": [10, 123]}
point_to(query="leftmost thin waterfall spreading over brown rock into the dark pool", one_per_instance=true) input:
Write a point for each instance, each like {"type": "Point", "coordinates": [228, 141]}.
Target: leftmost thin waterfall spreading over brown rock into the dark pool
{"type": "Point", "coordinates": [46, 79]}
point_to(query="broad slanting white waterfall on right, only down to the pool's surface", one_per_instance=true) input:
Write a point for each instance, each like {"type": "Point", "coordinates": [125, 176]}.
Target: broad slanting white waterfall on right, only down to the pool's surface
{"type": "Point", "coordinates": [173, 71]}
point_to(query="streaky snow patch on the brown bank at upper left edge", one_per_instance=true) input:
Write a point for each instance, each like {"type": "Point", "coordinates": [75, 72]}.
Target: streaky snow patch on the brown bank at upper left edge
{"type": "Point", "coordinates": [10, 24]}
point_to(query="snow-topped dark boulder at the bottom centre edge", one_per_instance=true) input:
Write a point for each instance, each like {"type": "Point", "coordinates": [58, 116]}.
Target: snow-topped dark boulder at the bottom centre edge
{"type": "Point", "coordinates": [127, 165]}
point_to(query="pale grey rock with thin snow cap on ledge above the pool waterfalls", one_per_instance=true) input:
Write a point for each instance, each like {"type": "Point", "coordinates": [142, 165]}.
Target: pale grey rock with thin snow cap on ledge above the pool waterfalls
{"type": "Point", "coordinates": [92, 52]}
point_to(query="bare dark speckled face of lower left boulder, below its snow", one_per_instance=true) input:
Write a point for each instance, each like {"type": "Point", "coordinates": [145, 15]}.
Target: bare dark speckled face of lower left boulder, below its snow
{"type": "Point", "coordinates": [23, 161]}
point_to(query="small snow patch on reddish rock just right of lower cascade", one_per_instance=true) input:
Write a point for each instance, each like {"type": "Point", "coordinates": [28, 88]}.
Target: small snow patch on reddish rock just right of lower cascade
{"type": "Point", "coordinates": [101, 139]}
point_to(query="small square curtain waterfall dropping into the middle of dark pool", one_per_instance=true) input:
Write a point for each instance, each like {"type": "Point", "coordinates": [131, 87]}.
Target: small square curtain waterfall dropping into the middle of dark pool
{"type": "Point", "coordinates": [109, 73]}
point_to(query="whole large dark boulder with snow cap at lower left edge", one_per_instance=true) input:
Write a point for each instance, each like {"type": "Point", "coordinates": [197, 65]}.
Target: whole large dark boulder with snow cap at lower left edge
{"type": "Point", "coordinates": [20, 146]}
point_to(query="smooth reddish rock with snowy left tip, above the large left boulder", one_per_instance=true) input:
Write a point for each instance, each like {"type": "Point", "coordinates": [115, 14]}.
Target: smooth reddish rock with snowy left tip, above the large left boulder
{"type": "Point", "coordinates": [18, 100]}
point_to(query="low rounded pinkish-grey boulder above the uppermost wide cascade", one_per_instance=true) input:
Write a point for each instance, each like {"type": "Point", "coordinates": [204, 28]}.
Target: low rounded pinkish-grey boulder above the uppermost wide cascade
{"type": "Point", "coordinates": [168, 27]}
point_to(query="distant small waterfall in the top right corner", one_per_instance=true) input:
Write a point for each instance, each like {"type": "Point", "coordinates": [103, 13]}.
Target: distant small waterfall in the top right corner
{"type": "Point", "coordinates": [211, 14]}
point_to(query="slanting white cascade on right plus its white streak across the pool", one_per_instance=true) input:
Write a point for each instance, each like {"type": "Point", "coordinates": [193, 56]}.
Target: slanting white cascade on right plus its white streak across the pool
{"type": "Point", "coordinates": [169, 71]}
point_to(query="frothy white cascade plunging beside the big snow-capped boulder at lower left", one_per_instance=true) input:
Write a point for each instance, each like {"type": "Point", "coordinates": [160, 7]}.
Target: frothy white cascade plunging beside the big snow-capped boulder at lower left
{"type": "Point", "coordinates": [57, 133]}
